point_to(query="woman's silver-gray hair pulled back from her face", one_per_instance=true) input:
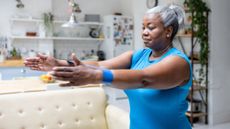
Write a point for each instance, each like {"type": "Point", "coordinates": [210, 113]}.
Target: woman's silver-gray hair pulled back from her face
{"type": "Point", "coordinates": [172, 15]}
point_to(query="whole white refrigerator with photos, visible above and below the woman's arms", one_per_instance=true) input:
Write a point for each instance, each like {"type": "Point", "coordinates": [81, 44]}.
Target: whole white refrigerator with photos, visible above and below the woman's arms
{"type": "Point", "coordinates": [118, 34]}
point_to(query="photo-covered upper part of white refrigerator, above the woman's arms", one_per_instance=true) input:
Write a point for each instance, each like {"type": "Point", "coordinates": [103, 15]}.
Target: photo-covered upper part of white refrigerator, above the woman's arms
{"type": "Point", "coordinates": [118, 34]}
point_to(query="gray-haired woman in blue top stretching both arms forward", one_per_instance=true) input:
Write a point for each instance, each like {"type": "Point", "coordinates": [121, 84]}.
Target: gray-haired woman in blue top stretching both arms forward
{"type": "Point", "coordinates": [156, 79]}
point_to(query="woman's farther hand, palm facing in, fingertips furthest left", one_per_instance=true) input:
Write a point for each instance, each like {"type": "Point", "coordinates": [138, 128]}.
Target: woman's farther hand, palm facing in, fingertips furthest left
{"type": "Point", "coordinates": [41, 62]}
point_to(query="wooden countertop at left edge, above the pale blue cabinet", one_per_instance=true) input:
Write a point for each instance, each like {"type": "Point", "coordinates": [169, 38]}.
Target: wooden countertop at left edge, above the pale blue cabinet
{"type": "Point", "coordinates": [12, 63]}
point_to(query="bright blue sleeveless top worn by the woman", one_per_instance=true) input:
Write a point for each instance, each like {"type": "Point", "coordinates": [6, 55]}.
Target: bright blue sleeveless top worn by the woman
{"type": "Point", "coordinates": [155, 108]}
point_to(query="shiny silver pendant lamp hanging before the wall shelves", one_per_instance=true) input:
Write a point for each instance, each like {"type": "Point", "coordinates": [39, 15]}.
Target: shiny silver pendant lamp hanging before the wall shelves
{"type": "Point", "coordinates": [72, 23]}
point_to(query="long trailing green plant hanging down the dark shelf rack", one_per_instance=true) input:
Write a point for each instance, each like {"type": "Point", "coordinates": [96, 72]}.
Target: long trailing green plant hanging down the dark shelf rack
{"type": "Point", "coordinates": [200, 12]}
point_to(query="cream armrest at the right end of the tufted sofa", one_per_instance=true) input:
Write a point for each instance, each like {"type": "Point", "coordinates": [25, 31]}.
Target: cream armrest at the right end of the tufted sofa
{"type": "Point", "coordinates": [116, 118]}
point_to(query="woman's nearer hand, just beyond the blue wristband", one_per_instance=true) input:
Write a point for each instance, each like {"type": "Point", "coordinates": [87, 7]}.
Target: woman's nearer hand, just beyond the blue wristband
{"type": "Point", "coordinates": [79, 75]}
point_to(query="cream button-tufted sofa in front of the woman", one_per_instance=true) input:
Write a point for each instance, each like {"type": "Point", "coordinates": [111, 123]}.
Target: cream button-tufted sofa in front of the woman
{"type": "Point", "coordinates": [79, 108]}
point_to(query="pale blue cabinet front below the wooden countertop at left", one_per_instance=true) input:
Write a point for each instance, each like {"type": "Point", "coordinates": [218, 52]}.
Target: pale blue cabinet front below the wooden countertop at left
{"type": "Point", "coordinates": [16, 72]}
